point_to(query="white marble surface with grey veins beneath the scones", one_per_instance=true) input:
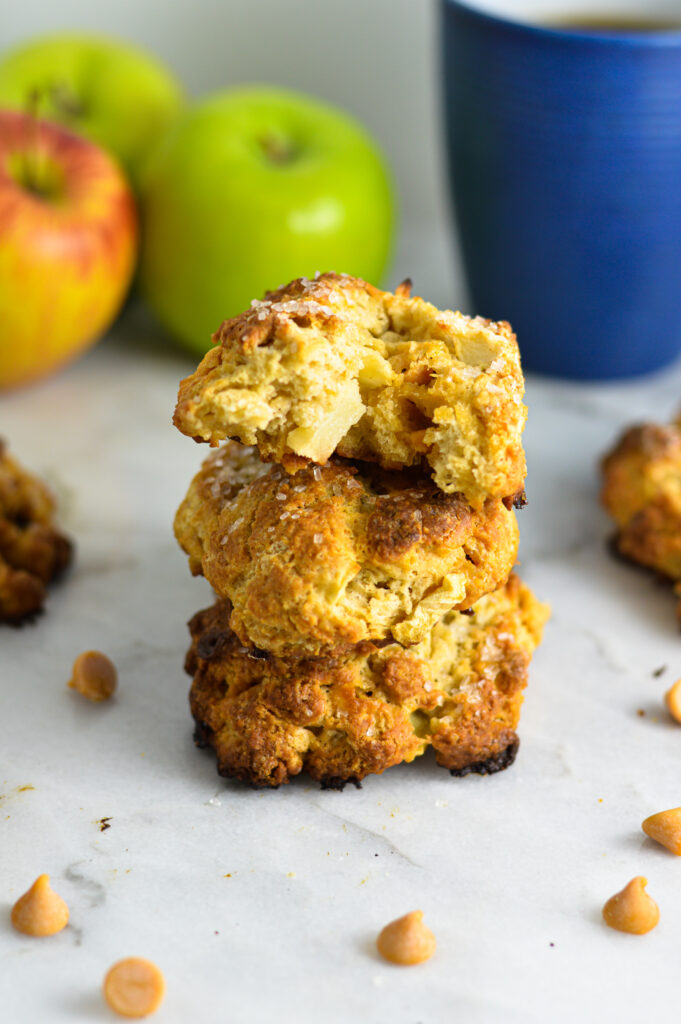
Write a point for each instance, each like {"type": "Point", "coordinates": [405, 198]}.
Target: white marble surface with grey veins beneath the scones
{"type": "Point", "coordinates": [263, 907]}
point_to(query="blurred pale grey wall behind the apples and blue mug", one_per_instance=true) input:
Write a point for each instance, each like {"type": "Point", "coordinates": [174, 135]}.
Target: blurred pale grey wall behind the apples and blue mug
{"type": "Point", "coordinates": [377, 59]}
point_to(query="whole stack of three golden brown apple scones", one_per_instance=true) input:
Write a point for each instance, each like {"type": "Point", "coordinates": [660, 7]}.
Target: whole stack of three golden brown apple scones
{"type": "Point", "coordinates": [357, 523]}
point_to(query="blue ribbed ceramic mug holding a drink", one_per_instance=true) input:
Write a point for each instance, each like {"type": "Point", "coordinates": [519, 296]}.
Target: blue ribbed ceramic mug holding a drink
{"type": "Point", "coordinates": [565, 148]}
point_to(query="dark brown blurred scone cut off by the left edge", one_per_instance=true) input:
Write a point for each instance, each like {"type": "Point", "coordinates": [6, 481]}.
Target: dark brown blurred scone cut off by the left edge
{"type": "Point", "coordinates": [32, 551]}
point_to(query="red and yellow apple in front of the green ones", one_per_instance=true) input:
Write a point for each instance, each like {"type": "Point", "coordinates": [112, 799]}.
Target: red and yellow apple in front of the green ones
{"type": "Point", "coordinates": [68, 246]}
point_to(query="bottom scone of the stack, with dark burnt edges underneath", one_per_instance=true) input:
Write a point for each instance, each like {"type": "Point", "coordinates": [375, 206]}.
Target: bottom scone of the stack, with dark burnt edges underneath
{"type": "Point", "coordinates": [343, 718]}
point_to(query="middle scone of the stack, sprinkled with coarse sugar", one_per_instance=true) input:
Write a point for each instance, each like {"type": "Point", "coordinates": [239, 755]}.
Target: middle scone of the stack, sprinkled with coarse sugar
{"type": "Point", "coordinates": [338, 553]}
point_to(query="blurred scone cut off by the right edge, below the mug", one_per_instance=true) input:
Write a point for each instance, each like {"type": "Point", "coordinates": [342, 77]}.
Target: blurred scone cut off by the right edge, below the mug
{"type": "Point", "coordinates": [643, 493]}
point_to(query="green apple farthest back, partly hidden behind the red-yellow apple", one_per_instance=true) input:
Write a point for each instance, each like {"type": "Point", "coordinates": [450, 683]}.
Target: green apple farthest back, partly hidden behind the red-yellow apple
{"type": "Point", "coordinates": [113, 94]}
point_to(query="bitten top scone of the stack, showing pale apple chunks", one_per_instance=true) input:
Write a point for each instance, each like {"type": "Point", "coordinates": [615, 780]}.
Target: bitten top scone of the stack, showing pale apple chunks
{"type": "Point", "coordinates": [337, 366]}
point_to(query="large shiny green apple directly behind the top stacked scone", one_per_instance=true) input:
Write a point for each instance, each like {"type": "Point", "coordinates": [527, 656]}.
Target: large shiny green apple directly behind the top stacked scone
{"type": "Point", "coordinates": [252, 188]}
